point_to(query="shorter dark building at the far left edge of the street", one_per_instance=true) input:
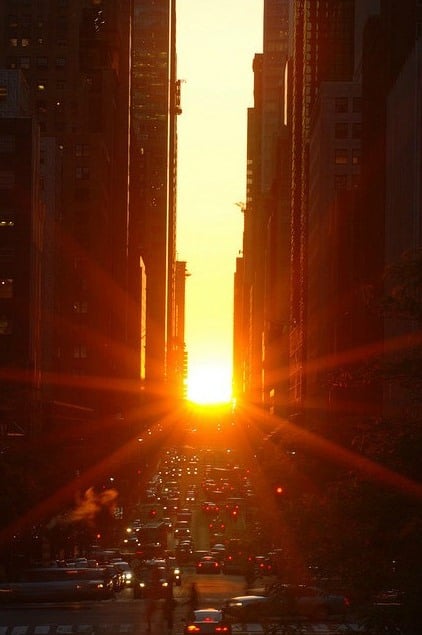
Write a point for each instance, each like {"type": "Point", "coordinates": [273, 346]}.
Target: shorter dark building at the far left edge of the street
{"type": "Point", "coordinates": [22, 218]}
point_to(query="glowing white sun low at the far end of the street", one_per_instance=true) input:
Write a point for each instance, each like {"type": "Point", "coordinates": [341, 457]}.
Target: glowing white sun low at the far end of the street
{"type": "Point", "coordinates": [209, 384]}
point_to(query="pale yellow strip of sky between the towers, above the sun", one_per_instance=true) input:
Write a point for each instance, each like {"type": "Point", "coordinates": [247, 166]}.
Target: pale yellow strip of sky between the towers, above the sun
{"type": "Point", "coordinates": [216, 44]}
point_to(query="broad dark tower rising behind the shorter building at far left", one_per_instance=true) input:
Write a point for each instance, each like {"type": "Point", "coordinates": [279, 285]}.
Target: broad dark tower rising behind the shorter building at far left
{"type": "Point", "coordinates": [74, 55]}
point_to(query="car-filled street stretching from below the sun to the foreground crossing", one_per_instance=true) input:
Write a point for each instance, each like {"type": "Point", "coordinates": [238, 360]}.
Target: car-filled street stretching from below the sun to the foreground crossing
{"type": "Point", "coordinates": [195, 553]}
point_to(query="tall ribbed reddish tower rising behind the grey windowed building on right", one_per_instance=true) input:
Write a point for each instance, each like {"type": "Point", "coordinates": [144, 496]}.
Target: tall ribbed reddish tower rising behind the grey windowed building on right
{"type": "Point", "coordinates": [322, 50]}
